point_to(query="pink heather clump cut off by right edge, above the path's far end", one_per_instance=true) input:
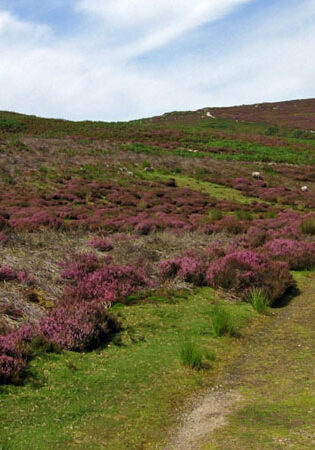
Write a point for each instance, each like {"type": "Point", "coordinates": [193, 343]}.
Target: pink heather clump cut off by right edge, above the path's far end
{"type": "Point", "coordinates": [299, 254]}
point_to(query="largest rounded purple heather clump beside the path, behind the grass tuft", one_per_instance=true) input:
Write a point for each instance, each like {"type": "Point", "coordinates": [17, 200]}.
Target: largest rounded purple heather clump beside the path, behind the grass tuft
{"type": "Point", "coordinates": [242, 270]}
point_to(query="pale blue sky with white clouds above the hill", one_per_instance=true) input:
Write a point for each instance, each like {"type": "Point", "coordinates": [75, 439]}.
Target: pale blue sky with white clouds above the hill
{"type": "Point", "coordinates": [118, 60]}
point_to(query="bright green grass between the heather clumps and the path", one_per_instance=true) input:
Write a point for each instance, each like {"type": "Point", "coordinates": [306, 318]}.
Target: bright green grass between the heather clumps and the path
{"type": "Point", "coordinates": [123, 396]}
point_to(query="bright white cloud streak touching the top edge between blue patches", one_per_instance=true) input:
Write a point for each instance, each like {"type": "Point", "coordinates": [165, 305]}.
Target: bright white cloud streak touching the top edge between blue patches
{"type": "Point", "coordinates": [150, 24]}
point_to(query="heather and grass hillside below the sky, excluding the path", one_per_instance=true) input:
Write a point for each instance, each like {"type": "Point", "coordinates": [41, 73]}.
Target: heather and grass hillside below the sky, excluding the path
{"type": "Point", "coordinates": [137, 261]}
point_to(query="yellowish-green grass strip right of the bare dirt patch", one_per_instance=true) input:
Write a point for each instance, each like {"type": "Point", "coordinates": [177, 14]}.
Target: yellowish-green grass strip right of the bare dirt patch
{"type": "Point", "coordinates": [277, 383]}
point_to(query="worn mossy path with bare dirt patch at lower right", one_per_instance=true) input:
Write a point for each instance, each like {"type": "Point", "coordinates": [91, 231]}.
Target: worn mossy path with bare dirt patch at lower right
{"type": "Point", "coordinates": [266, 397]}
